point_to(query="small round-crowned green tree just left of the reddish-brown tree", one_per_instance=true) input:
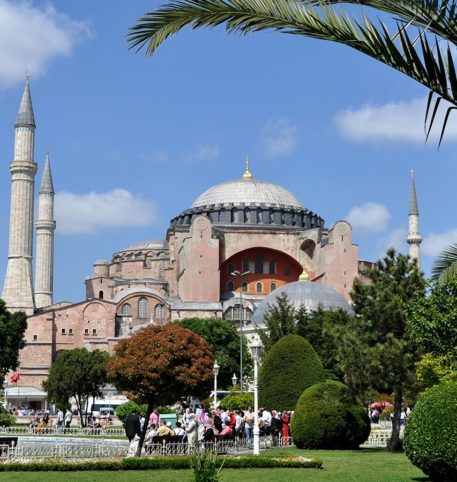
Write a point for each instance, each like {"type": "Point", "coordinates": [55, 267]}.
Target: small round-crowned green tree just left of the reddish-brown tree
{"type": "Point", "coordinates": [78, 374]}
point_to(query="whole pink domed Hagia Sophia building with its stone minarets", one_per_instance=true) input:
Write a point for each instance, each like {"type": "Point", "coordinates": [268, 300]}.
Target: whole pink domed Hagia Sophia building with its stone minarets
{"type": "Point", "coordinates": [238, 244]}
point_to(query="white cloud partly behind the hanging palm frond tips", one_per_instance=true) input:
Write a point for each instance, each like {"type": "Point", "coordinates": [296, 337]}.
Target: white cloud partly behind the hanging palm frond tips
{"type": "Point", "coordinates": [394, 121]}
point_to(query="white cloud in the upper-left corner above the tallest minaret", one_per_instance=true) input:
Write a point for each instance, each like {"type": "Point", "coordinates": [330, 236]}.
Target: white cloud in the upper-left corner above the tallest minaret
{"type": "Point", "coordinates": [31, 37]}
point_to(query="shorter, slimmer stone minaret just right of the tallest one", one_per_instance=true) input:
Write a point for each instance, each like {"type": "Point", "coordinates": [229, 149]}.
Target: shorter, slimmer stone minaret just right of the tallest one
{"type": "Point", "coordinates": [45, 226]}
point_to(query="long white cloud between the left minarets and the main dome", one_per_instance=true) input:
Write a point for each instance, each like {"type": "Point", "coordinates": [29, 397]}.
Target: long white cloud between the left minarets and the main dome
{"type": "Point", "coordinates": [88, 213]}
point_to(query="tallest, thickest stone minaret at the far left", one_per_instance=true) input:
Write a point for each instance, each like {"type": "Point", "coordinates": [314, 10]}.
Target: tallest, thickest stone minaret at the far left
{"type": "Point", "coordinates": [18, 289]}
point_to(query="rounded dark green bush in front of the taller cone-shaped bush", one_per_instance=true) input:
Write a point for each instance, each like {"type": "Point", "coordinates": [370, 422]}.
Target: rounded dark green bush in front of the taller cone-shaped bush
{"type": "Point", "coordinates": [329, 416]}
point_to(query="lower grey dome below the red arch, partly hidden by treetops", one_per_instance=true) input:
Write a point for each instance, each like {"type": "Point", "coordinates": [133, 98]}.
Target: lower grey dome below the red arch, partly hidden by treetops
{"type": "Point", "coordinates": [312, 295]}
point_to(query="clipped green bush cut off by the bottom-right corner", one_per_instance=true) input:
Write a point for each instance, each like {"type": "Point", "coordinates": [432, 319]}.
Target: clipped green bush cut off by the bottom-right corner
{"type": "Point", "coordinates": [431, 432]}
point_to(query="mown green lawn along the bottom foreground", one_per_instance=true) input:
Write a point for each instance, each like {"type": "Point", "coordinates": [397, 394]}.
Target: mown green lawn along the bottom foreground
{"type": "Point", "coordinates": [365, 465]}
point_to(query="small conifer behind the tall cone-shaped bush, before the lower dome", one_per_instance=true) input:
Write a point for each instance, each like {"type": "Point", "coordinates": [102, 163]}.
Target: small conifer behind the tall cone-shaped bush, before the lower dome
{"type": "Point", "coordinates": [279, 320]}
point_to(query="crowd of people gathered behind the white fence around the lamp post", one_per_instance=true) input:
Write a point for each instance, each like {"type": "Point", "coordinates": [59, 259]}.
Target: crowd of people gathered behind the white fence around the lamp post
{"type": "Point", "coordinates": [201, 426]}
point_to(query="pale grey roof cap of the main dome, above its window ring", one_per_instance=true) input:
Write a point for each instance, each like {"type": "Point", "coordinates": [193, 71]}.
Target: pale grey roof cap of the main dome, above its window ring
{"type": "Point", "coordinates": [248, 191]}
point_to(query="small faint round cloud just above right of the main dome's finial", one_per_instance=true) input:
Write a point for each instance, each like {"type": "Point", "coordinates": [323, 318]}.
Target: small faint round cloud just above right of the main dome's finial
{"type": "Point", "coordinates": [278, 138]}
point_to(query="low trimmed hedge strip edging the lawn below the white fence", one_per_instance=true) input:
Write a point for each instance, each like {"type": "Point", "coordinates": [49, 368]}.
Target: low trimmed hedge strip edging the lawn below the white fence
{"type": "Point", "coordinates": [161, 463]}
